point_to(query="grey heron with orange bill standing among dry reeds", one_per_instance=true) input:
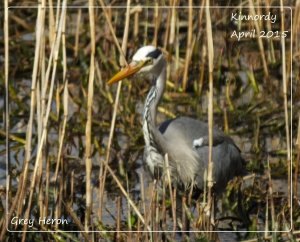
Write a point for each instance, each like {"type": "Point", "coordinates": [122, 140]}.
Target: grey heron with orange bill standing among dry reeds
{"type": "Point", "coordinates": [184, 139]}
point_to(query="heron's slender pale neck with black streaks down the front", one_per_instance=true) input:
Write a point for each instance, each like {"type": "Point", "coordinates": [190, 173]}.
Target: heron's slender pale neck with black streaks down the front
{"type": "Point", "coordinates": [150, 108]}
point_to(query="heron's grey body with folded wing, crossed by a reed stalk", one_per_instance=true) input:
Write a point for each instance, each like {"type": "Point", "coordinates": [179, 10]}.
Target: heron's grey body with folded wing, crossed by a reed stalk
{"type": "Point", "coordinates": [178, 138]}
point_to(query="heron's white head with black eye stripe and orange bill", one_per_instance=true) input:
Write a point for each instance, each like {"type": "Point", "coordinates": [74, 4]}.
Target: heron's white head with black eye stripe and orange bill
{"type": "Point", "coordinates": [147, 60]}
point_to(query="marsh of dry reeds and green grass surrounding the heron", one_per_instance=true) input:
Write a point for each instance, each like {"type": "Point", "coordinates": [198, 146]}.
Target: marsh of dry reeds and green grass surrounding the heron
{"type": "Point", "coordinates": [74, 149]}
